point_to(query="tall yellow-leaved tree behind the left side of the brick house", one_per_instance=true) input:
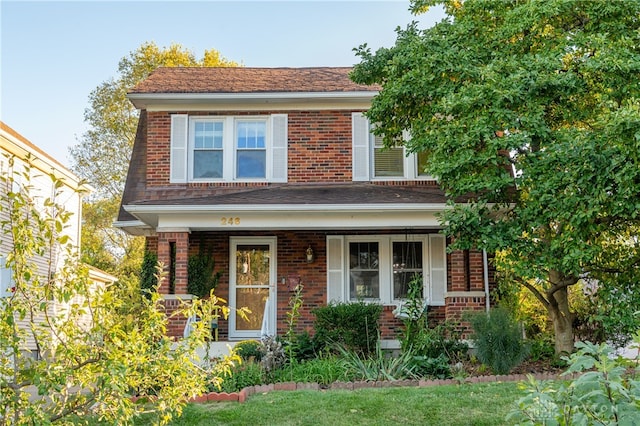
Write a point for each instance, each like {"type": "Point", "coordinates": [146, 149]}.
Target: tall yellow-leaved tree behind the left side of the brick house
{"type": "Point", "coordinates": [102, 153]}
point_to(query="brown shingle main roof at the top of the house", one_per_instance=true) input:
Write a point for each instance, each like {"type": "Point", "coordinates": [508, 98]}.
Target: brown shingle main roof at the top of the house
{"type": "Point", "coordinates": [249, 80]}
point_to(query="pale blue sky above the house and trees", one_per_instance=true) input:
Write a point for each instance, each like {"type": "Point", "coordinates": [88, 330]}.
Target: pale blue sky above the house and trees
{"type": "Point", "coordinates": [54, 53]}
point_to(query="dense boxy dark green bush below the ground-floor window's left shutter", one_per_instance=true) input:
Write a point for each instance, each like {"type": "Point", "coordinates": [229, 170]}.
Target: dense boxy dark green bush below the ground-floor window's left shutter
{"type": "Point", "coordinates": [353, 325]}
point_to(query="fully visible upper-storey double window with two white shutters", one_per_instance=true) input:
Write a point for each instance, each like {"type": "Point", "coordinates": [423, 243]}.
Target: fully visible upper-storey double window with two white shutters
{"type": "Point", "coordinates": [228, 148]}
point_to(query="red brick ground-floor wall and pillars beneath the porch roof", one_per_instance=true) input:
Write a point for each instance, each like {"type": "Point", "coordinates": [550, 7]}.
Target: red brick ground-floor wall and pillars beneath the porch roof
{"type": "Point", "coordinates": [292, 266]}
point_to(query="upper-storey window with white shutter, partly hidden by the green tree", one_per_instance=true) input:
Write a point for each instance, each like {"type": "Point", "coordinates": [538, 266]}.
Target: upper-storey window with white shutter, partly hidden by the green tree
{"type": "Point", "coordinates": [372, 161]}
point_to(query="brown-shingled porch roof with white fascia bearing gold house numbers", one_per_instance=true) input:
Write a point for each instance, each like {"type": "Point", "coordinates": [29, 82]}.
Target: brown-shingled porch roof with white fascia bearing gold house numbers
{"type": "Point", "coordinates": [303, 206]}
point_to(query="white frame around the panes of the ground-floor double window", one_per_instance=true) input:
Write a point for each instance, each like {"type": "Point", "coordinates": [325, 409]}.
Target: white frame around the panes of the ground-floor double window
{"type": "Point", "coordinates": [385, 247]}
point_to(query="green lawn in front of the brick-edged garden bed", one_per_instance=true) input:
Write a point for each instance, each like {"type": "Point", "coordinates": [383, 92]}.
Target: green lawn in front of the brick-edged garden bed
{"type": "Point", "coordinates": [466, 404]}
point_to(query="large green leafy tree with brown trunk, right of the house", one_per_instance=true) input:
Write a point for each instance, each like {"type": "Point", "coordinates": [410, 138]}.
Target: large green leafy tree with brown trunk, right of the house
{"type": "Point", "coordinates": [531, 110]}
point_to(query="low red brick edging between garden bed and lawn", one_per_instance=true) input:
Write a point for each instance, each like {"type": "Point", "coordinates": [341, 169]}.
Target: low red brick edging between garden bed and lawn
{"type": "Point", "coordinates": [245, 393]}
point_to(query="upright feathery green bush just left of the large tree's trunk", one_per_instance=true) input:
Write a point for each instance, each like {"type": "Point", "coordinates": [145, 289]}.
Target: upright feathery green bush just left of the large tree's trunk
{"type": "Point", "coordinates": [498, 340]}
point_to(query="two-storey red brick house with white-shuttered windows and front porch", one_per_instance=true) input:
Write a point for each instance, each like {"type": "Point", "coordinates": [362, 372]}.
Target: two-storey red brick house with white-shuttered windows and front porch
{"type": "Point", "coordinates": [275, 173]}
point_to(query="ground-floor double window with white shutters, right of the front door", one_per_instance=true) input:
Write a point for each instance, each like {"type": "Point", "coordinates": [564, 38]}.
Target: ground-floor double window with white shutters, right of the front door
{"type": "Point", "coordinates": [380, 268]}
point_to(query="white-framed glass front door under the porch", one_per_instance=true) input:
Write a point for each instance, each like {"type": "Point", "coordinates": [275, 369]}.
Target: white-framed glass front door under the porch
{"type": "Point", "coordinates": [253, 280]}
